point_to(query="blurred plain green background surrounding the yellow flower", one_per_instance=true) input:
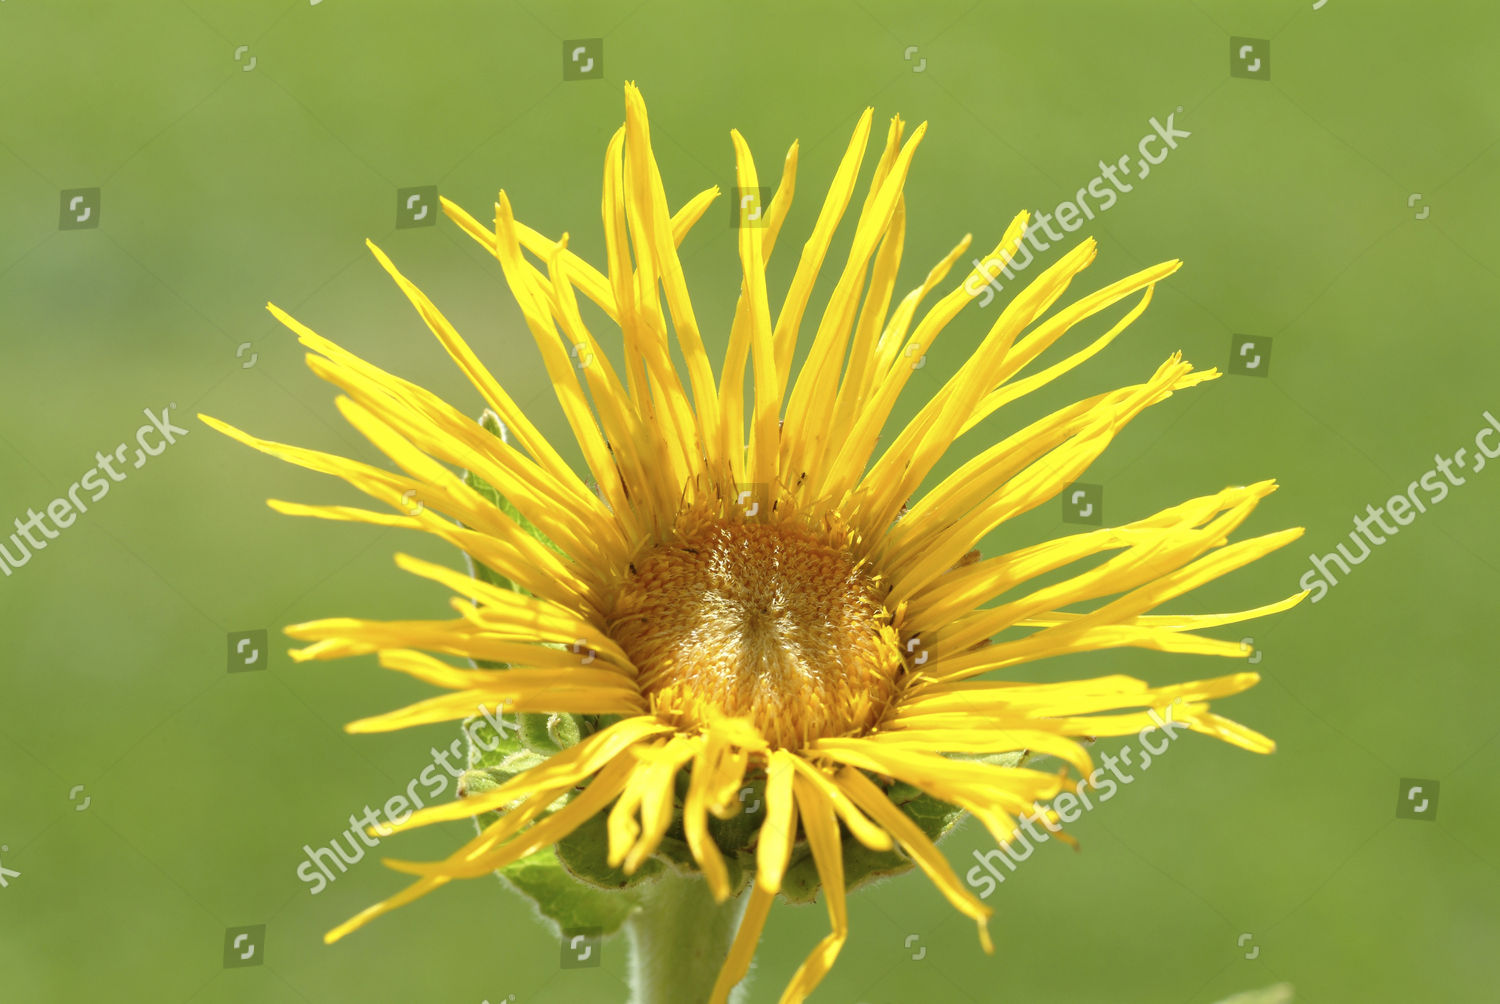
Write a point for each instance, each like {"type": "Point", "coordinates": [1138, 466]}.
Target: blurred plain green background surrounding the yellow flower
{"type": "Point", "coordinates": [224, 185]}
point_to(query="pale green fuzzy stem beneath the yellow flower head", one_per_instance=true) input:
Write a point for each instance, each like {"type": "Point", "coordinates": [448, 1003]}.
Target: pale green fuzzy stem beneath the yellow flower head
{"type": "Point", "coordinates": [679, 940]}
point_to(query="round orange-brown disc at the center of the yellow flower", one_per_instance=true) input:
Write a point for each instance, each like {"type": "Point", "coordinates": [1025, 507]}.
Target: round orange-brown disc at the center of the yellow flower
{"type": "Point", "coordinates": [770, 622]}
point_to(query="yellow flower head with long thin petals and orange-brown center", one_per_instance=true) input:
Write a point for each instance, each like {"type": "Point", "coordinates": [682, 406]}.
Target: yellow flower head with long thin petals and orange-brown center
{"type": "Point", "coordinates": [755, 595]}
